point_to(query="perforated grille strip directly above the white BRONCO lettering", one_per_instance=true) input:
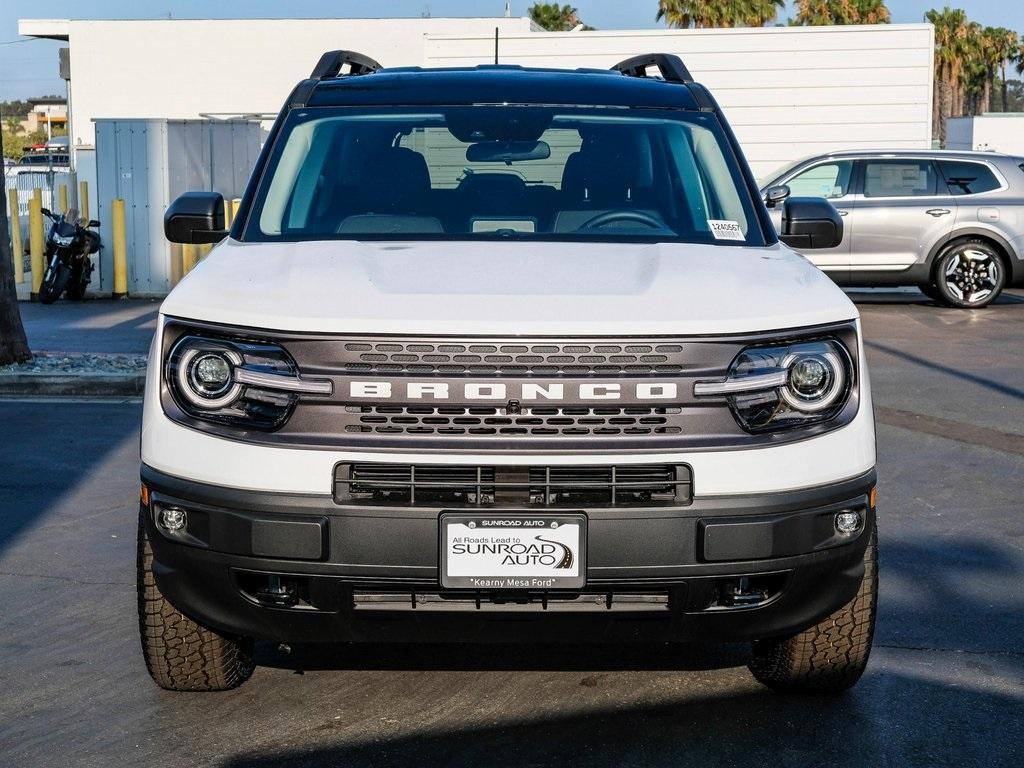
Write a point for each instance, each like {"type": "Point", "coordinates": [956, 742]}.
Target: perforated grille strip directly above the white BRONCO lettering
{"type": "Point", "coordinates": [549, 359]}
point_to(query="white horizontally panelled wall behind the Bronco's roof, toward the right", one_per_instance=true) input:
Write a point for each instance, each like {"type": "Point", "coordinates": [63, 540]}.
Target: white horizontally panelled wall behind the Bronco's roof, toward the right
{"type": "Point", "coordinates": [788, 92]}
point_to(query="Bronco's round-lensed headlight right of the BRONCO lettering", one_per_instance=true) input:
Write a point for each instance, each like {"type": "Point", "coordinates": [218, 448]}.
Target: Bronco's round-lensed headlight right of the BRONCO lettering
{"type": "Point", "coordinates": [780, 388]}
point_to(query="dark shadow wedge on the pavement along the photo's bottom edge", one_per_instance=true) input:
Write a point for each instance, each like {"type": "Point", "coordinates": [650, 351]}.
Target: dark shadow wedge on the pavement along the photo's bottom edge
{"type": "Point", "coordinates": [893, 720]}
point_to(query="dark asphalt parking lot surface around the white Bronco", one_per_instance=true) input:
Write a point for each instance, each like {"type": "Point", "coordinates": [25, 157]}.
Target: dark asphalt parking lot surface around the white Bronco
{"type": "Point", "coordinates": [946, 686]}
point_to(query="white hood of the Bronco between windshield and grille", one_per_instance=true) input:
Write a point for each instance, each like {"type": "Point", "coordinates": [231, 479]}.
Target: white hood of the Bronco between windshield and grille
{"type": "Point", "coordinates": [507, 289]}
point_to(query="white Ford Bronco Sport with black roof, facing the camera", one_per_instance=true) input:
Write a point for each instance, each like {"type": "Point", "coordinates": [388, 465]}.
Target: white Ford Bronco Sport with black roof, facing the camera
{"type": "Point", "coordinates": [499, 354]}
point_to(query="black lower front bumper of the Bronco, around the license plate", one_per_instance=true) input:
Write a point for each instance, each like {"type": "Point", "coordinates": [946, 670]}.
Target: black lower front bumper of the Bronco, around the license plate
{"type": "Point", "coordinates": [304, 569]}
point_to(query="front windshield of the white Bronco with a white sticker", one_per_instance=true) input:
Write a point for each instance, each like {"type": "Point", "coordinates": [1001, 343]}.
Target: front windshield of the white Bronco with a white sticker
{"type": "Point", "coordinates": [486, 173]}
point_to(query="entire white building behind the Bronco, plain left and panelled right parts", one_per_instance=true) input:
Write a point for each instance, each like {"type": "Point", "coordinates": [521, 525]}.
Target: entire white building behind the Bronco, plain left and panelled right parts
{"type": "Point", "coordinates": [789, 92]}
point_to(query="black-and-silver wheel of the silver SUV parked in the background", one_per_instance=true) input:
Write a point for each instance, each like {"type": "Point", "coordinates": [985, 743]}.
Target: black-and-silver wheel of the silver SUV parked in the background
{"type": "Point", "coordinates": [969, 275]}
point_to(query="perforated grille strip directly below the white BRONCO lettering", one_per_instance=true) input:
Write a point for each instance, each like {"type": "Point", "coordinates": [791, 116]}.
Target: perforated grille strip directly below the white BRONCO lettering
{"type": "Point", "coordinates": [540, 422]}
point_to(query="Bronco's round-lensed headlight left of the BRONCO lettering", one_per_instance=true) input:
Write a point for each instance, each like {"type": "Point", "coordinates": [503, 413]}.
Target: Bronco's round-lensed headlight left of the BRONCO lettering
{"type": "Point", "coordinates": [240, 383]}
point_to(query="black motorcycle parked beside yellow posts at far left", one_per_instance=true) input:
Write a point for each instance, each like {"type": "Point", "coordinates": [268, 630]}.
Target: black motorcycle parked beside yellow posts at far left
{"type": "Point", "coordinates": [69, 246]}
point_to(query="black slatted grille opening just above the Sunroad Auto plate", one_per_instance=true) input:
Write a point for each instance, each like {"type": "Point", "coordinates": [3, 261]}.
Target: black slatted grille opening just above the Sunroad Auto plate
{"type": "Point", "coordinates": [480, 486]}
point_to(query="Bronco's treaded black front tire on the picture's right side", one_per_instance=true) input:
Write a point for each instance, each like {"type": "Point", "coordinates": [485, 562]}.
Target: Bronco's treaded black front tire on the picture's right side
{"type": "Point", "coordinates": [832, 656]}
